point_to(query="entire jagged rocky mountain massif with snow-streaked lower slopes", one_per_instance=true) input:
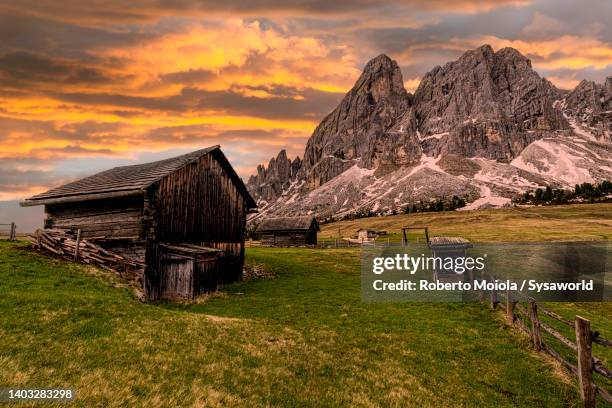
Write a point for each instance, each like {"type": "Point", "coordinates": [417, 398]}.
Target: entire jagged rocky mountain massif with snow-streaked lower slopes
{"type": "Point", "coordinates": [484, 127]}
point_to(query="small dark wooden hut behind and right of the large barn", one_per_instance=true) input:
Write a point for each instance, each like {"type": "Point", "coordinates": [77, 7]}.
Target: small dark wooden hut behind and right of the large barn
{"type": "Point", "coordinates": [288, 231]}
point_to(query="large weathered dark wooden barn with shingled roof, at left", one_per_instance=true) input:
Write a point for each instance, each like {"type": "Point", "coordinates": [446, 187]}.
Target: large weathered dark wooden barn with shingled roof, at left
{"type": "Point", "coordinates": [182, 218]}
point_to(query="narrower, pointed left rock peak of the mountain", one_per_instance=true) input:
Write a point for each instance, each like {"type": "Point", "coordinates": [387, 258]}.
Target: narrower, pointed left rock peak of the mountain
{"type": "Point", "coordinates": [357, 130]}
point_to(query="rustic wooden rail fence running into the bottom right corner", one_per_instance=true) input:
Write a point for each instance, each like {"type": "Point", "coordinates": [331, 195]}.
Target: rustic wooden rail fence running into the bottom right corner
{"type": "Point", "coordinates": [528, 318]}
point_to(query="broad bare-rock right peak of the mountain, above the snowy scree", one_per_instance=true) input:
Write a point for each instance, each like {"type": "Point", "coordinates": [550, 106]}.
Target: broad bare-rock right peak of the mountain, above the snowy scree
{"type": "Point", "coordinates": [485, 104]}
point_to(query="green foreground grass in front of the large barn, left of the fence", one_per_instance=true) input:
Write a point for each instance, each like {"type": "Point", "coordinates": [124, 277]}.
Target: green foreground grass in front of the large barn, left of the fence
{"type": "Point", "coordinates": [302, 339]}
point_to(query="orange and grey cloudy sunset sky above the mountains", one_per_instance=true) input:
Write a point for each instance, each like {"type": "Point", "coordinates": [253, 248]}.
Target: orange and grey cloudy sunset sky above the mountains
{"type": "Point", "coordinates": [88, 85]}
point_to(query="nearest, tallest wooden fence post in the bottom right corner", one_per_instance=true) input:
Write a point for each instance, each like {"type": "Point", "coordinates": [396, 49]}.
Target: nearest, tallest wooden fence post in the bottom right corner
{"type": "Point", "coordinates": [585, 361]}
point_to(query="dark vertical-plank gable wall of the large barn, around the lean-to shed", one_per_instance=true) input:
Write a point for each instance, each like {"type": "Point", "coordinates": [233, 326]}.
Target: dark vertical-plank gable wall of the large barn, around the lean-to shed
{"type": "Point", "coordinates": [200, 204]}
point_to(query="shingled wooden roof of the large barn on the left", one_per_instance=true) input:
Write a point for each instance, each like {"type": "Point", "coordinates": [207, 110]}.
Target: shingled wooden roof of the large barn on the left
{"type": "Point", "coordinates": [131, 180]}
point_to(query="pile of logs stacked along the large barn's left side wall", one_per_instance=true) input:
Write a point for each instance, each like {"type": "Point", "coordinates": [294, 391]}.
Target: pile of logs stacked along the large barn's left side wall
{"type": "Point", "coordinates": [65, 244]}
